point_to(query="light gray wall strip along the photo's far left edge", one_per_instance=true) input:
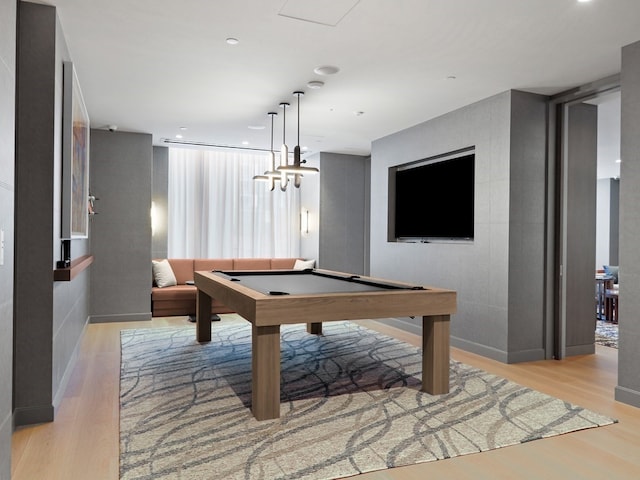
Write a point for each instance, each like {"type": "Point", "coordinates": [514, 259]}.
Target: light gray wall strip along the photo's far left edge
{"type": "Point", "coordinates": [8, 10]}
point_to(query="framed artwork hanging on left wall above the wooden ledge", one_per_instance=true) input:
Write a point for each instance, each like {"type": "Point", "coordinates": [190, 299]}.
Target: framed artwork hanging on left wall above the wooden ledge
{"type": "Point", "coordinates": [75, 158]}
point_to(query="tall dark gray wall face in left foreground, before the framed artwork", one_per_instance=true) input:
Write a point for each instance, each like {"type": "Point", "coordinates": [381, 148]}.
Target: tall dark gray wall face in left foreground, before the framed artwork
{"type": "Point", "coordinates": [35, 114]}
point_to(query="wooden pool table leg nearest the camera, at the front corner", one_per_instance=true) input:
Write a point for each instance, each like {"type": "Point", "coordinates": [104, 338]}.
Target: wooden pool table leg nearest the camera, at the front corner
{"type": "Point", "coordinates": [265, 371]}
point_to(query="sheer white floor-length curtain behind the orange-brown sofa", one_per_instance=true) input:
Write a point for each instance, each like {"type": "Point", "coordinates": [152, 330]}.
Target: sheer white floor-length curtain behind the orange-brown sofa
{"type": "Point", "coordinates": [217, 210]}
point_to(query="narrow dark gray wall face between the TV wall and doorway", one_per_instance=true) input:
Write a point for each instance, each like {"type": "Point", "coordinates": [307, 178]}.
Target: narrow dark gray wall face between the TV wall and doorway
{"type": "Point", "coordinates": [527, 195]}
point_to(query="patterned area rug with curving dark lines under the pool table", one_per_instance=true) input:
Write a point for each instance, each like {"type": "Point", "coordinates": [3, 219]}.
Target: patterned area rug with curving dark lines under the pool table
{"type": "Point", "coordinates": [350, 404]}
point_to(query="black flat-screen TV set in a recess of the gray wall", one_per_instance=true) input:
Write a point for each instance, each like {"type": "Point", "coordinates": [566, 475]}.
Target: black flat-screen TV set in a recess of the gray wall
{"type": "Point", "coordinates": [433, 199]}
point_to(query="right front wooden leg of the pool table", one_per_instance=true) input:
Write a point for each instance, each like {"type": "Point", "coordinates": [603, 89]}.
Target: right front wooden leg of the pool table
{"type": "Point", "coordinates": [435, 354]}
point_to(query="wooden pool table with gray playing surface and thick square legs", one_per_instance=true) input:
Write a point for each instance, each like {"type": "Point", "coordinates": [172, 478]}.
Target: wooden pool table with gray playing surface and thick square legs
{"type": "Point", "coordinates": [268, 299]}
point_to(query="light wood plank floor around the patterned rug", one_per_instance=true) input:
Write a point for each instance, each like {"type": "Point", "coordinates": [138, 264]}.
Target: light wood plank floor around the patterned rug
{"type": "Point", "coordinates": [82, 443]}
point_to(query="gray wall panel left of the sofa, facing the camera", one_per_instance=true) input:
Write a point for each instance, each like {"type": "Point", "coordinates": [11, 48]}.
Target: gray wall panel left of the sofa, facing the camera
{"type": "Point", "coordinates": [121, 177]}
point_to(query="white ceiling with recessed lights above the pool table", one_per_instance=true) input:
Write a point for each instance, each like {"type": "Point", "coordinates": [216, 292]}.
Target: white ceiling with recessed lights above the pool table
{"type": "Point", "coordinates": [157, 65]}
